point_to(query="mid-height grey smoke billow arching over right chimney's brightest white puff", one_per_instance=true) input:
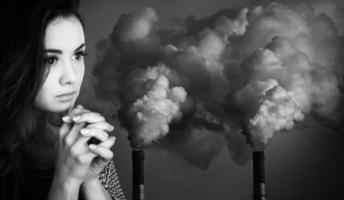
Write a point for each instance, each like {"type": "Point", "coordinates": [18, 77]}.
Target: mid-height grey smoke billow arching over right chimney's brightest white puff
{"type": "Point", "coordinates": [291, 68]}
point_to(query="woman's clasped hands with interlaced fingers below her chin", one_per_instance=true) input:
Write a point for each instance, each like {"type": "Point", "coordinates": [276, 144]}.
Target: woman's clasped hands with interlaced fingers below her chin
{"type": "Point", "coordinates": [78, 160]}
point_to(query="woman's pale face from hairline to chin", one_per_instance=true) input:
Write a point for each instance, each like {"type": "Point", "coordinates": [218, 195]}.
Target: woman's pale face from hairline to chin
{"type": "Point", "coordinates": [64, 49]}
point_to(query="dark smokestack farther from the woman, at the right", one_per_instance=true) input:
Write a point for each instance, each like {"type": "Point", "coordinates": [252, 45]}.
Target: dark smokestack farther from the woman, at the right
{"type": "Point", "coordinates": [259, 192]}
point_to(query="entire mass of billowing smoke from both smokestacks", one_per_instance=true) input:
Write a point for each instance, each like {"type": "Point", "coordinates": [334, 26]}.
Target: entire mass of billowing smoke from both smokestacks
{"type": "Point", "coordinates": [240, 75]}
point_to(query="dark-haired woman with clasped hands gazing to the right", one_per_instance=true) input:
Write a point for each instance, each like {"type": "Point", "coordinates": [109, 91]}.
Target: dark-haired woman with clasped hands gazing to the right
{"type": "Point", "coordinates": [45, 142]}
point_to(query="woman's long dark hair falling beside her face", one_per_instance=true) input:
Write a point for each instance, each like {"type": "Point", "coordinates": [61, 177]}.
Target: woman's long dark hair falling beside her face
{"type": "Point", "coordinates": [22, 73]}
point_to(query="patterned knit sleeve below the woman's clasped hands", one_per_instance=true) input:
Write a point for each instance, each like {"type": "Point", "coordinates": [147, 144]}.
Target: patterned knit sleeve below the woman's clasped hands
{"type": "Point", "coordinates": [108, 177]}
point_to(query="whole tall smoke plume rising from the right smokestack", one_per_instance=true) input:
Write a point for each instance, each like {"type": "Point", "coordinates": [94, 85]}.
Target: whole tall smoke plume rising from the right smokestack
{"type": "Point", "coordinates": [294, 57]}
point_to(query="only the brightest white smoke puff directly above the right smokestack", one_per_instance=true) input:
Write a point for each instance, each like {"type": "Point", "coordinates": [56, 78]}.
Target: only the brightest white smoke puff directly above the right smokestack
{"type": "Point", "coordinates": [277, 111]}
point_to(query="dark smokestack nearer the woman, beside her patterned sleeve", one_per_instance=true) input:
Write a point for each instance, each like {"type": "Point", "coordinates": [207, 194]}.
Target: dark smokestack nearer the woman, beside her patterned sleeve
{"type": "Point", "coordinates": [138, 157]}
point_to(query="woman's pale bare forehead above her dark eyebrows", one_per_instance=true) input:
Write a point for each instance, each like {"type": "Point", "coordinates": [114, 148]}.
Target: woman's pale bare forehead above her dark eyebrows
{"type": "Point", "coordinates": [64, 33]}
